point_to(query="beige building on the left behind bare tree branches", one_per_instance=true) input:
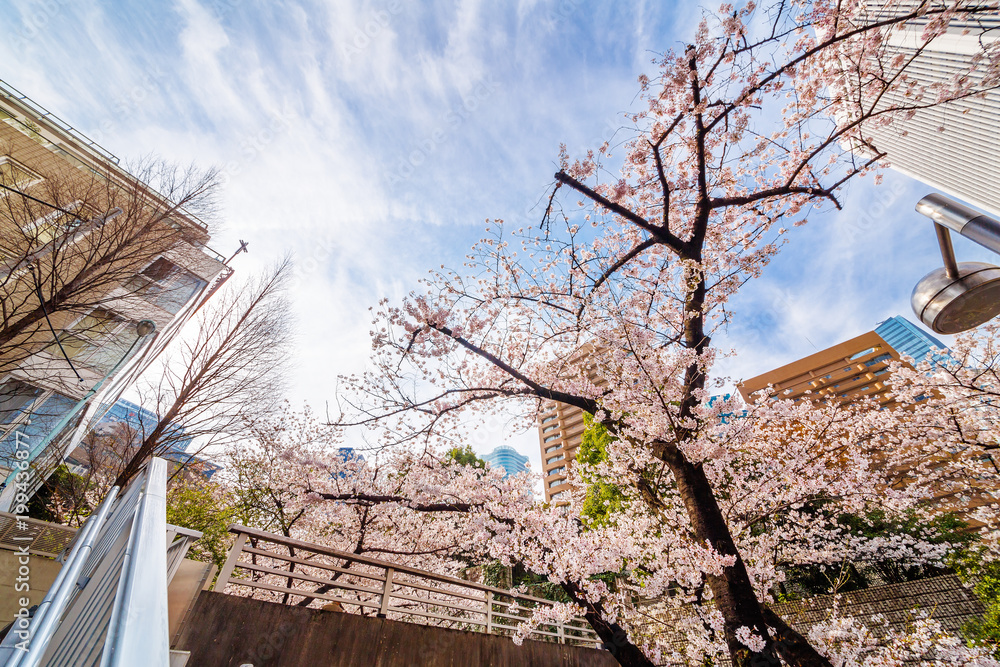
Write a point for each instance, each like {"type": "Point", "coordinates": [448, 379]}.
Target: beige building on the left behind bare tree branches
{"type": "Point", "coordinates": [88, 251]}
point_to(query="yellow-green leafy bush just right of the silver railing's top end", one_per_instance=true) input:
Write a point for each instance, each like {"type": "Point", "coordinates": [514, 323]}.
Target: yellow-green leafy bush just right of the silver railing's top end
{"type": "Point", "coordinates": [204, 507]}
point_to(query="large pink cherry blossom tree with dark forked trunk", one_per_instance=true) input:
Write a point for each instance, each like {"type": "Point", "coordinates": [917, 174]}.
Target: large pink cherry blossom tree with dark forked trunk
{"type": "Point", "coordinates": [611, 307]}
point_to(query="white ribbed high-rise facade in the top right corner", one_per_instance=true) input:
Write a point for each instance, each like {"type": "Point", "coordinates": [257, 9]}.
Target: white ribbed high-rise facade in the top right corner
{"type": "Point", "coordinates": [954, 147]}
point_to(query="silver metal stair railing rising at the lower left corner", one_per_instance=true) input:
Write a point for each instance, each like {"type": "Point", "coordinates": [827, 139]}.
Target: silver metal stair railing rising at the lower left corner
{"type": "Point", "coordinates": [108, 604]}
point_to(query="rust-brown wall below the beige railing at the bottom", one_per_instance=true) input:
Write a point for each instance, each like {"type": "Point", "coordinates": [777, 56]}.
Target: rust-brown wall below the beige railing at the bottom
{"type": "Point", "coordinates": [229, 631]}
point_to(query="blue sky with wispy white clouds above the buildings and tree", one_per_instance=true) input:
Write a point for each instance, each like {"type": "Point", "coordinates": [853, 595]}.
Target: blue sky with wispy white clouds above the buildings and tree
{"type": "Point", "coordinates": [372, 139]}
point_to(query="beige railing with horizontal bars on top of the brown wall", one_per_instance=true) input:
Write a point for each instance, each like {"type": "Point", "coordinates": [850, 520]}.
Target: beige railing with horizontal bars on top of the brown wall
{"type": "Point", "coordinates": [272, 567]}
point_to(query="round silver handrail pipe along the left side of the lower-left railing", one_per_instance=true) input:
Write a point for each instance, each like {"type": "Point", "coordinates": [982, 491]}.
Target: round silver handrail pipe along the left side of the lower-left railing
{"type": "Point", "coordinates": [52, 605]}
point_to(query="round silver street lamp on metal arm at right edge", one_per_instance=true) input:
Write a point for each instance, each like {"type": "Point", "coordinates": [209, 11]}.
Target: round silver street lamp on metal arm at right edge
{"type": "Point", "coordinates": [958, 296]}
